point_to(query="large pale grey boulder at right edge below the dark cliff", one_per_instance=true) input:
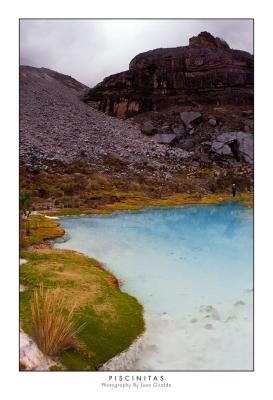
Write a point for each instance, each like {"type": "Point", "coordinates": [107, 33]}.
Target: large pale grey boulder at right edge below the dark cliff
{"type": "Point", "coordinates": [240, 145]}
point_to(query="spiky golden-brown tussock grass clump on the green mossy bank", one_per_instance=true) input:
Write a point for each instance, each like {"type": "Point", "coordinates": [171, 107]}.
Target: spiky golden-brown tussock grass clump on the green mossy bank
{"type": "Point", "coordinates": [53, 328]}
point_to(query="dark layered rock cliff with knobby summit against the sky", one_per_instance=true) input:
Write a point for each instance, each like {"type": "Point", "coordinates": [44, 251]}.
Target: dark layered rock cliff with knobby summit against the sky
{"type": "Point", "coordinates": [206, 71]}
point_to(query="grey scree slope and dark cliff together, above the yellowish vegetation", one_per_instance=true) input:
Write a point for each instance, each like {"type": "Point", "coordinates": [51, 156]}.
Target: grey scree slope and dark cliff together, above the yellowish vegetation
{"type": "Point", "coordinates": [190, 106]}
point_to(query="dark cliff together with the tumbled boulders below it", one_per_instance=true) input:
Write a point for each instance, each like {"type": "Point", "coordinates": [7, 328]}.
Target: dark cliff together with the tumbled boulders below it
{"type": "Point", "coordinates": [198, 98]}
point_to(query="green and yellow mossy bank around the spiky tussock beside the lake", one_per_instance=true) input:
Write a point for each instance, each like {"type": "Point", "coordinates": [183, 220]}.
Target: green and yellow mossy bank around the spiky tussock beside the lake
{"type": "Point", "coordinates": [113, 319]}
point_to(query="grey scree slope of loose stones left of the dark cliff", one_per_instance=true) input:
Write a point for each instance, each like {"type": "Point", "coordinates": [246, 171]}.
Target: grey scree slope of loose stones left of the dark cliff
{"type": "Point", "coordinates": [56, 125]}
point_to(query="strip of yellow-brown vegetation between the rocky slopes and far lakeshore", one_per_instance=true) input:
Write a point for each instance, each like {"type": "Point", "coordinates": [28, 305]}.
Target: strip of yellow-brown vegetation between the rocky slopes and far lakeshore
{"type": "Point", "coordinates": [65, 189]}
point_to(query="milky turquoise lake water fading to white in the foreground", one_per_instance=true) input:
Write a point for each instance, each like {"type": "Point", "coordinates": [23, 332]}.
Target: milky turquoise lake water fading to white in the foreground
{"type": "Point", "coordinates": [191, 268]}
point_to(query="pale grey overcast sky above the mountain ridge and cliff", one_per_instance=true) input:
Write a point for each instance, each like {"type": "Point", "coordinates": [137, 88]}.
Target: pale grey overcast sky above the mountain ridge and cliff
{"type": "Point", "coordinates": [90, 50]}
